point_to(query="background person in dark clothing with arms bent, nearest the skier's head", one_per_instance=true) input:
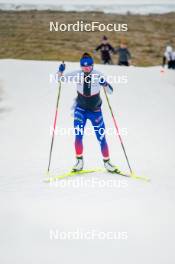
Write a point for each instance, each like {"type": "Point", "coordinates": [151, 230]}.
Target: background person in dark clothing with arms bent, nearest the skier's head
{"type": "Point", "coordinates": [105, 48]}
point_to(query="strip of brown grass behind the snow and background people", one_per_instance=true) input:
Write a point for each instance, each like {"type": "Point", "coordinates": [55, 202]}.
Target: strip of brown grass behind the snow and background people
{"type": "Point", "coordinates": [26, 35]}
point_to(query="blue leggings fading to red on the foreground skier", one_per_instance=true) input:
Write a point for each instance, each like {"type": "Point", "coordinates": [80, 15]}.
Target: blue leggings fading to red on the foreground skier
{"type": "Point", "coordinates": [80, 118]}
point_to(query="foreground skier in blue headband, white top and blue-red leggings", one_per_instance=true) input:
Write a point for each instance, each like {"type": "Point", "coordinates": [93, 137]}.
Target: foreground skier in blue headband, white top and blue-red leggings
{"type": "Point", "coordinates": [88, 106]}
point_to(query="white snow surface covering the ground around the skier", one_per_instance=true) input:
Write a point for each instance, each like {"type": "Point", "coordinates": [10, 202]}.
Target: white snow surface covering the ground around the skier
{"type": "Point", "coordinates": [30, 208]}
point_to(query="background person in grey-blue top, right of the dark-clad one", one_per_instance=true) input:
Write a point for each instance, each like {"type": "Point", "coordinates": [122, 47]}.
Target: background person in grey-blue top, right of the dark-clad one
{"type": "Point", "coordinates": [124, 54]}
